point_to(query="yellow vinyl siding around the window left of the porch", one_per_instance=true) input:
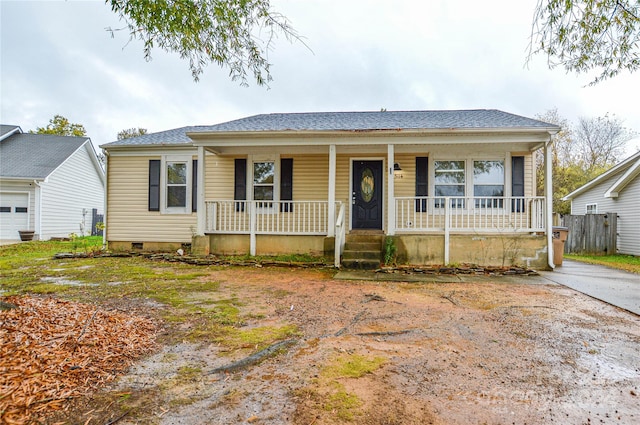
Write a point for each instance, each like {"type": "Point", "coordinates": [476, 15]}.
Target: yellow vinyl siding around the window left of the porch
{"type": "Point", "coordinates": [128, 218]}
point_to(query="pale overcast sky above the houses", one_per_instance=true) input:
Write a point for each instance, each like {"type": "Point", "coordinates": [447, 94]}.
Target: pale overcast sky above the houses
{"type": "Point", "coordinates": [363, 55]}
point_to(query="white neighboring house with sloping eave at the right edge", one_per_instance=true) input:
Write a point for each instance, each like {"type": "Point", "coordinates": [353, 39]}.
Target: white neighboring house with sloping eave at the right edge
{"type": "Point", "coordinates": [615, 191]}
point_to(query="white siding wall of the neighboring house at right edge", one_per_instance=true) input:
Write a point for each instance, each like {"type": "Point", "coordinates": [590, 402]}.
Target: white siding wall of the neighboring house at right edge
{"type": "Point", "coordinates": [626, 205]}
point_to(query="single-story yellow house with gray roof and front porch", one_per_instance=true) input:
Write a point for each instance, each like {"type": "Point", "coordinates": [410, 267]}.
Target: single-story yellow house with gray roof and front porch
{"type": "Point", "coordinates": [449, 186]}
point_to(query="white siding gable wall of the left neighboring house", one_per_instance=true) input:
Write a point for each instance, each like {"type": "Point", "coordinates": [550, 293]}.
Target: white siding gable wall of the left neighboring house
{"type": "Point", "coordinates": [72, 188]}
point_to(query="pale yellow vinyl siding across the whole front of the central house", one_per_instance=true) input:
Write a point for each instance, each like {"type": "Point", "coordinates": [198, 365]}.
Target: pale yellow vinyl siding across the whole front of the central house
{"type": "Point", "coordinates": [128, 218]}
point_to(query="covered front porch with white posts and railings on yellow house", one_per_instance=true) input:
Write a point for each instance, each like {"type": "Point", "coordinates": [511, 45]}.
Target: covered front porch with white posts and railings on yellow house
{"type": "Point", "coordinates": [268, 226]}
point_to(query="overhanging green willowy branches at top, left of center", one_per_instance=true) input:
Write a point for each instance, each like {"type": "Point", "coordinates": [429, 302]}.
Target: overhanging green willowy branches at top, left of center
{"type": "Point", "coordinates": [236, 34]}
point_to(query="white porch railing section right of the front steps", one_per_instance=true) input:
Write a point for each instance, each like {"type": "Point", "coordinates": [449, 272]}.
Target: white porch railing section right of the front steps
{"type": "Point", "coordinates": [470, 214]}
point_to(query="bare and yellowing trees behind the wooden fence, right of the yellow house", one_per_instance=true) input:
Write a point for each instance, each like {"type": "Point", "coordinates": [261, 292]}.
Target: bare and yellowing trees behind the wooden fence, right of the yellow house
{"type": "Point", "coordinates": [580, 153]}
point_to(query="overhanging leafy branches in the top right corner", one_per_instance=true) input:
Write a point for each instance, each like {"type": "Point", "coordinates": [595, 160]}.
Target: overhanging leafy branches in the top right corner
{"type": "Point", "coordinates": [588, 35]}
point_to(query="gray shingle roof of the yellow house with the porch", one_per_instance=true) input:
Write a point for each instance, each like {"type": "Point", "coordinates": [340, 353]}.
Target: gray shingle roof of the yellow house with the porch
{"type": "Point", "coordinates": [350, 121]}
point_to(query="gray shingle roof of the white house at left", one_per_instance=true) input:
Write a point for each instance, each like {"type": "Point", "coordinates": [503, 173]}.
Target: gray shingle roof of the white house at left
{"type": "Point", "coordinates": [35, 156]}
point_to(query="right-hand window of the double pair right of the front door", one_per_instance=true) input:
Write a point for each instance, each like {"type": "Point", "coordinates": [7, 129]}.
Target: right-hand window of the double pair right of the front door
{"type": "Point", "coordinates": [488, 184]}
